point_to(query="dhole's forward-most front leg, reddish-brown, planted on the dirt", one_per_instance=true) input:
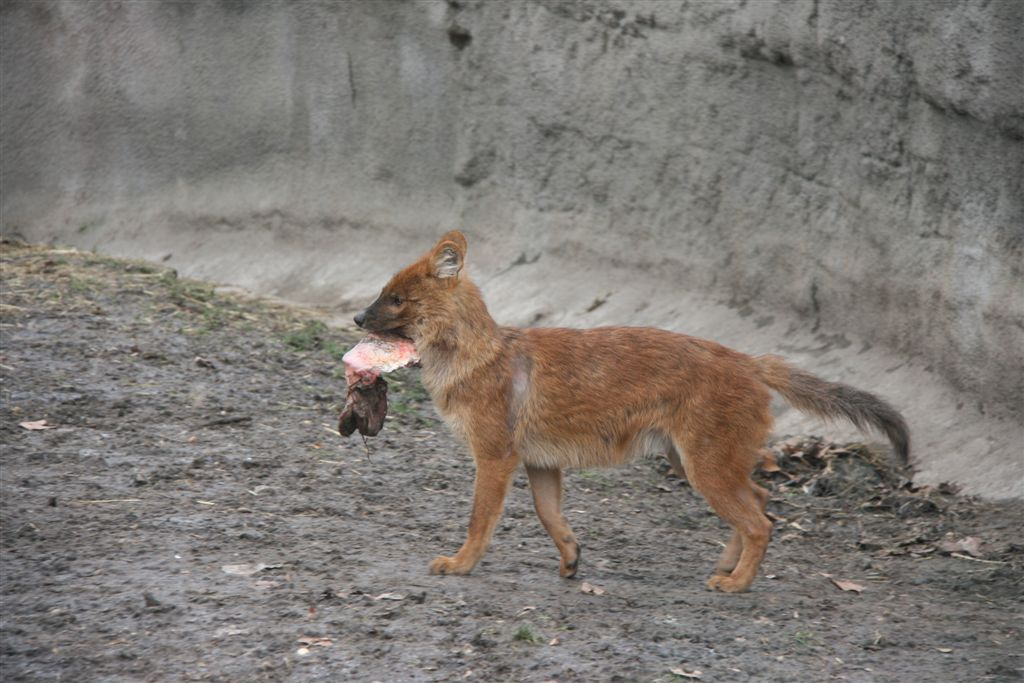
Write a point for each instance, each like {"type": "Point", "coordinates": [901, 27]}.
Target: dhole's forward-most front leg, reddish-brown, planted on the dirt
{"type": "Point", "coordinates": [494, 475]}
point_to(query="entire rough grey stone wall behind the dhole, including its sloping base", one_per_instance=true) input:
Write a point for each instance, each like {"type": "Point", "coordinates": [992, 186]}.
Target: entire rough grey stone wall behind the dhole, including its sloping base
{"type": "Point", "coordinates": [856, 166]}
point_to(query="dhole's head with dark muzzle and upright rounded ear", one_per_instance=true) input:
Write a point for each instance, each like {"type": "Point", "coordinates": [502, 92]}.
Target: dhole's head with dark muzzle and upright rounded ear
{"type": "Point", "coordinates": [421, 294]}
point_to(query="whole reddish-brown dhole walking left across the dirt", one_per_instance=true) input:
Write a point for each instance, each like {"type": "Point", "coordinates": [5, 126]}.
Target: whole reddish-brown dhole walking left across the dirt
{"type": "Point", "coordinates": [553, 399]}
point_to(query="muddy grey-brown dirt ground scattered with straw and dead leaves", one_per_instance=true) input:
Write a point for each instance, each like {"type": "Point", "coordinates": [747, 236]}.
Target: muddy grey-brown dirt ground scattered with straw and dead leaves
{"type": "Point", "coordinates": [187, 513]}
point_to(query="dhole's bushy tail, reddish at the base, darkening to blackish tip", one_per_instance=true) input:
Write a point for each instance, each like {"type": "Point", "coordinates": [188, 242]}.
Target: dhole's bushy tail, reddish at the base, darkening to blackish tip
{"type": "Point", "coordinates": [831, 400]}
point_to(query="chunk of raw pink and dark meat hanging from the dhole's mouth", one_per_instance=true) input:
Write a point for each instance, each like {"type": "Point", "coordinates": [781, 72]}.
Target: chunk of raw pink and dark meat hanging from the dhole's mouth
{"type": "Point", "coordinates": [366, 405]}
